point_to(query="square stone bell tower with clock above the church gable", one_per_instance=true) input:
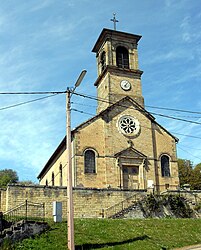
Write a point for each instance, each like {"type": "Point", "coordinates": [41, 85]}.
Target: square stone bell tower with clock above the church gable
{"type": "Point", "coordinates": [117, 64]}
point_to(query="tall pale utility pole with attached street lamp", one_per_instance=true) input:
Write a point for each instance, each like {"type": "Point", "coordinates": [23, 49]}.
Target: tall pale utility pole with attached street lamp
{"type": "Point", "coordinates": [70, 209]}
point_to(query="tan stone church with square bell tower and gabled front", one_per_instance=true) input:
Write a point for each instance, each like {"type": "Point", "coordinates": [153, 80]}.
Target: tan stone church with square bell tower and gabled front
{"type": "Point", "coordinates": [122, 147]}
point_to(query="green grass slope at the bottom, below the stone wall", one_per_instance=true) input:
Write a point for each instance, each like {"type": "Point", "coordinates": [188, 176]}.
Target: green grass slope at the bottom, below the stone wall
{"type": "Point", "coordinates": [142, 234]}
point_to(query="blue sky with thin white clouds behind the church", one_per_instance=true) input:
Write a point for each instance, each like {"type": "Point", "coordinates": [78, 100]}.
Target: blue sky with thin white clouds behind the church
{"type": "Point", "coordinates": [44, 45]}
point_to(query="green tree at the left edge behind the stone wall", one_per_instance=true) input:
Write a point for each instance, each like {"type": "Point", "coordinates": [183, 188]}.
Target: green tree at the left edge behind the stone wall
{"type": "Point", "coordinates": [6, 176]}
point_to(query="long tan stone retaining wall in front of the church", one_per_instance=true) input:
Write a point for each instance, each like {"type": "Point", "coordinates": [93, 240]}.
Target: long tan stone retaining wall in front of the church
{"type": "Point", "coordinates": [88, 202]}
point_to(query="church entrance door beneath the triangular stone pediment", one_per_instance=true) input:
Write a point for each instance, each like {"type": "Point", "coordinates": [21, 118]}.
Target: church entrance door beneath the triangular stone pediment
{"type": "Point", "coordinates": [130, 177]}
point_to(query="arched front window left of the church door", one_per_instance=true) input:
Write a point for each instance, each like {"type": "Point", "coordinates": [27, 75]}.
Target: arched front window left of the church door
{"type": "Point", "coordinates": [89, 161]}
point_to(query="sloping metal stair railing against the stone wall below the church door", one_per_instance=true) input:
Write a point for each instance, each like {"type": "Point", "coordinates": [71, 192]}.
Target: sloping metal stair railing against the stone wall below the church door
{"type": "Point", "coordinates": [117, 208]}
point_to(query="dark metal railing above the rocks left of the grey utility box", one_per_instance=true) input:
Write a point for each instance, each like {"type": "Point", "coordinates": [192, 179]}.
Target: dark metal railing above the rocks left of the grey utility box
{"type": "Point", "coordinates": [26, 211]}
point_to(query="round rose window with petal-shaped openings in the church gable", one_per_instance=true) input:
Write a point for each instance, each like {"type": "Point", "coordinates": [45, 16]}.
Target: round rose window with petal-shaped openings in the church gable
{"type": "Point", "coordinates": [128, 125]}
